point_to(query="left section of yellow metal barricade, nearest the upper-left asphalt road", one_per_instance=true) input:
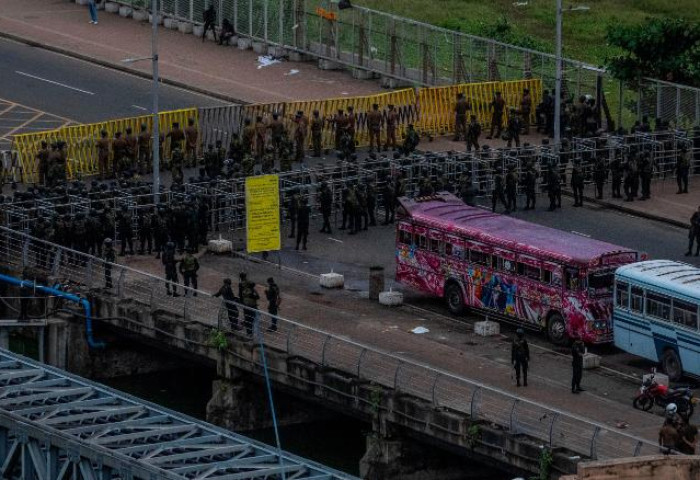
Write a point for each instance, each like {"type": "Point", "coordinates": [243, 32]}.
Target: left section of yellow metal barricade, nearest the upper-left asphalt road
{"type": "Point", "coordinates": [81, 141]}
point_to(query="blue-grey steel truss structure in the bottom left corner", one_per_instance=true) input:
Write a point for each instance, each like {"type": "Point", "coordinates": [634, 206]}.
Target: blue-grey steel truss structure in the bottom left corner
{"type": "Point", "coordinates": [57, 426]}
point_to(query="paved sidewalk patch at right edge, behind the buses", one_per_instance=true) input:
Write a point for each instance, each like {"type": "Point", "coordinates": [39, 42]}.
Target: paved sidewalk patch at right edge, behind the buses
{"type": "Point", "coordinates": [665, 205]}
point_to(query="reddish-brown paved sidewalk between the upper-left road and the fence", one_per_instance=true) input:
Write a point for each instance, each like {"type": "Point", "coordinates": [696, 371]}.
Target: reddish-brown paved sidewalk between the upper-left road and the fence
{"type": "Point", "coordinates": [225, 72]}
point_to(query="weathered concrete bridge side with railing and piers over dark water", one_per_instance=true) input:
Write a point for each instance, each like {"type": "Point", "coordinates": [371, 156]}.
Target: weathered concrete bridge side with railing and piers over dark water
{"type": "Point", "coordinates": [402, 398]}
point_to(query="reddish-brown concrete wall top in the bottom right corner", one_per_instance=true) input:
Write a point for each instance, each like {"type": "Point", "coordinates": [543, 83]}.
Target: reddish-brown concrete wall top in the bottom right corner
{"type": "Point", "coordinates": [657, 467]}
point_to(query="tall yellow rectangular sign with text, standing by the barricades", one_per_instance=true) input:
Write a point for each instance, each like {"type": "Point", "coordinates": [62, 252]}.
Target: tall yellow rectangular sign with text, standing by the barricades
{"type": "Point", "coordinates": [262, 205]}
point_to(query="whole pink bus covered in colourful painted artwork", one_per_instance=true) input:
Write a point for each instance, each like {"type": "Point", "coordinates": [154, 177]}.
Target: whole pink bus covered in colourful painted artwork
{"type": "Point", "coordinates": [510, 269]}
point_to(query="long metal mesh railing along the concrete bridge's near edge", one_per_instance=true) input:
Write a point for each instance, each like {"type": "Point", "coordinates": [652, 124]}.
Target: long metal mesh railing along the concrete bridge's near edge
{"type": "Point", "coordinates": [547, 425]}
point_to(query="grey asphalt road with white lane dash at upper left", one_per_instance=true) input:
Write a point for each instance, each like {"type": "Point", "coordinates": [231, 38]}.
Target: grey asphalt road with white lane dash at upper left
{"type": "Point", "coordinates": [81, 91]}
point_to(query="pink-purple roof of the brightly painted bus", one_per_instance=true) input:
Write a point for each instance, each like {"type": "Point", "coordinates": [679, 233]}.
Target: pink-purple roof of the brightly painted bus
{"type": "Point", "coordinates": [447, 212]}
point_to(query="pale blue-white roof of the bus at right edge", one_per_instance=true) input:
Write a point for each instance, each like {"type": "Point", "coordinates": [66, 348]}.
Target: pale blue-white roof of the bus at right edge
{"type": "Point", "coordinates": [668, 274]}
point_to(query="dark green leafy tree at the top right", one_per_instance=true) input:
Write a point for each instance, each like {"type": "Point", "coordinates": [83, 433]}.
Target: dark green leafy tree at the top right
{"type": "Point", "coordinates": [667, 49]}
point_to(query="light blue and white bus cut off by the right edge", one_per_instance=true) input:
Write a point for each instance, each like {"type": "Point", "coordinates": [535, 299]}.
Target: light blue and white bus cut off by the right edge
{"type": "Point", "coordinates": [655, 314]}
